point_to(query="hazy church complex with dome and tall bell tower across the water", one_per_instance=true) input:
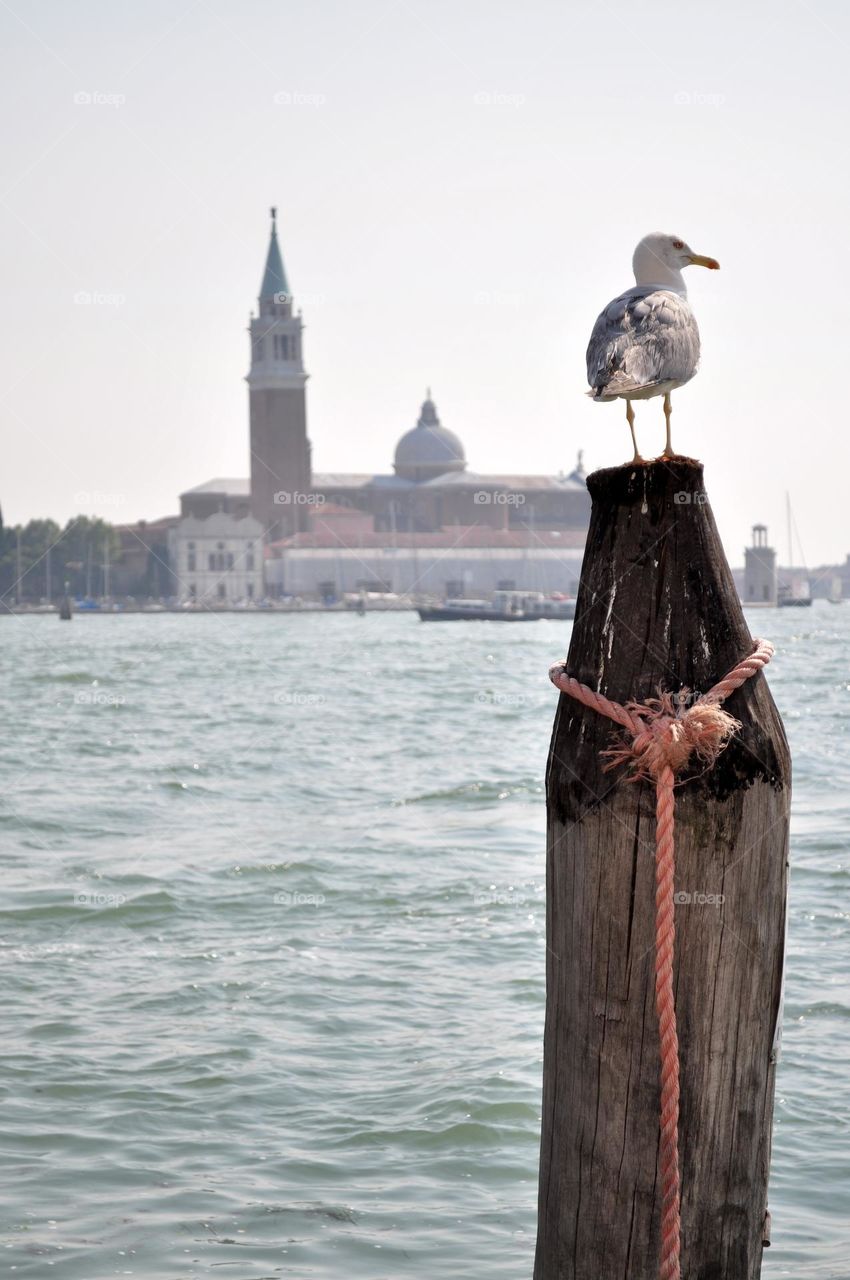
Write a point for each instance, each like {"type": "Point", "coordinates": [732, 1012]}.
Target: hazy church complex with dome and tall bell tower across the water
{"type": "Point", "coordinates": [431, 524]}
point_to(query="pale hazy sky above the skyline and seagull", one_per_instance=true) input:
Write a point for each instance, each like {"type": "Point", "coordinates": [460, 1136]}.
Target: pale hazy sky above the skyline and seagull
{"type": "Point", "coordinates": [460, 189]}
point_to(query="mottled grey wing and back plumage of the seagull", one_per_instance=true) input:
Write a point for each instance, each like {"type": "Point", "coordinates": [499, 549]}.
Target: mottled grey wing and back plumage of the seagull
{"type": "Point", "coordinates": [643, 339]}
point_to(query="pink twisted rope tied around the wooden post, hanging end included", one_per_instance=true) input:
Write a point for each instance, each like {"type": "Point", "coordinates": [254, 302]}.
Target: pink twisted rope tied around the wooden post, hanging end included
{"type": "Point", "coordinates": [665, 735]}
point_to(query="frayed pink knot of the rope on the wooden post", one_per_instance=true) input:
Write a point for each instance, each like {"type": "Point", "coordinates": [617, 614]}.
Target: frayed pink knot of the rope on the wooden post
{"type": "Point", "coordinates": [670, 734]}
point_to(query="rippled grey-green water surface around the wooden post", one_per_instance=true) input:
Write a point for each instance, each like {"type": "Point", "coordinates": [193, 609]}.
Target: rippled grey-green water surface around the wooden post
{"type": "Point", "coordinates": [273, 947]}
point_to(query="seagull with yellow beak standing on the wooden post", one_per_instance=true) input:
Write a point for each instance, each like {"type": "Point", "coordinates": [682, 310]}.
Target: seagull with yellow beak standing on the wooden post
{"type": "Point", "coordinates": [647, 342]}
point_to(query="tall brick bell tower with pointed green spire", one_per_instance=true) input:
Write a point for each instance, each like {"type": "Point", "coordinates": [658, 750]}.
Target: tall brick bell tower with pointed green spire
{"type": "Point", "coordinates": [281, 472]}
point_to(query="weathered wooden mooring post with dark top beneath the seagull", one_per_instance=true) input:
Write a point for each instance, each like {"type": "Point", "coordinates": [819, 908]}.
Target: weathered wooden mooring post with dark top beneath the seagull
{"type": "Point", "coordinates": [659, 610]}
